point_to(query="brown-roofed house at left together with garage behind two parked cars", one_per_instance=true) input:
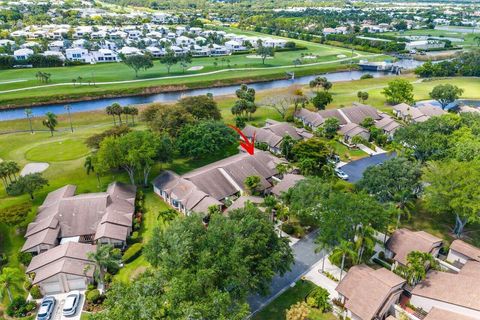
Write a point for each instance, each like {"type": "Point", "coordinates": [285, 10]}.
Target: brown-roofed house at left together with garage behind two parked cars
{"type": "Point", "coordinates": [68, 227]}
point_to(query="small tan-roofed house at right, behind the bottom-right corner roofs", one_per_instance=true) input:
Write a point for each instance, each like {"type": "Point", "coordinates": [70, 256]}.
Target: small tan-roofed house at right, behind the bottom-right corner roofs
{"type": "Point", "coordinates": [404, 241]}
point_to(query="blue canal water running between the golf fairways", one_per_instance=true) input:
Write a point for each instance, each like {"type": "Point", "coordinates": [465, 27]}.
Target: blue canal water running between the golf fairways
{"type": "Point", "coordinates": [99, 104]}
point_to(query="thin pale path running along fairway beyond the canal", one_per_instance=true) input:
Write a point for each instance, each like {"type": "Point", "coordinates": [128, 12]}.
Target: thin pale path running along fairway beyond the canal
{"type": "Point", "coordinates": [187, 75]}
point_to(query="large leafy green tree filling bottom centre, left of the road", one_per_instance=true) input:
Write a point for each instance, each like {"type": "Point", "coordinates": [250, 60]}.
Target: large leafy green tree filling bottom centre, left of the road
{"type": "Point", "coordinates": [203, 272]}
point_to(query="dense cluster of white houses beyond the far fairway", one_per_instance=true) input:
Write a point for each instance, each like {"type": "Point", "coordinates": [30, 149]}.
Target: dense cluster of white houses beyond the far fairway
{"type": "Point", "coordinates": [96, 44]}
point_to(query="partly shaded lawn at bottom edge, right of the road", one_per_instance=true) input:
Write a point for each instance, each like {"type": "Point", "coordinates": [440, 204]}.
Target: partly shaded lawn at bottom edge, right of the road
{"type": "Point", "coordinates": [276, 310]}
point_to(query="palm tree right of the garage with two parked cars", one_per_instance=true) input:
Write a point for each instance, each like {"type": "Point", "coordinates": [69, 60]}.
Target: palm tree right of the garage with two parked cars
{"type": "Point", "coordinates": [106, 258]}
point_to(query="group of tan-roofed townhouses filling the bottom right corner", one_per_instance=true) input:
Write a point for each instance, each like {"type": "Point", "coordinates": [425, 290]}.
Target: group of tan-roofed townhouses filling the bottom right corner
{"type": "Point", "coordinates": [446, 294]}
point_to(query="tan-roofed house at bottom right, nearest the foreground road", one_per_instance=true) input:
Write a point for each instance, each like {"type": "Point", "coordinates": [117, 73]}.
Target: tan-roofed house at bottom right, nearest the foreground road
{"type": "Point", "coordinates": [369, 294]}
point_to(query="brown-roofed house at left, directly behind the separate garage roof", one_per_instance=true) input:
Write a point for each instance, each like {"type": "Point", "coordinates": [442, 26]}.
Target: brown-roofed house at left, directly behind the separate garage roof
{"type": "Point", "coordinates": [103, 217]}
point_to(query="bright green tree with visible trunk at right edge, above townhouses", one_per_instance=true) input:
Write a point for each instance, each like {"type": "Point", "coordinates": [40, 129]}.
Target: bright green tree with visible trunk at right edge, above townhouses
{"type": "Point", "coordinates": [452, 188]}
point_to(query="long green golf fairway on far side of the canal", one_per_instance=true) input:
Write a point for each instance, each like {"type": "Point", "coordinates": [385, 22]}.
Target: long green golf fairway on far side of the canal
{"type": "Point", "coordinates": [327, 56]}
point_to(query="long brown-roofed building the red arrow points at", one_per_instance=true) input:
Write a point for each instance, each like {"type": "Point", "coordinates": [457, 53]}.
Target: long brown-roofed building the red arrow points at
{"type": "Point", "coordinates": [213, 184]}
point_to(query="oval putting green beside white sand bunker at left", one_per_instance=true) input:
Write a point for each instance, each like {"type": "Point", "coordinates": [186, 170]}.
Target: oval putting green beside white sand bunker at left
{"type": "Point", "coordinates": [62, 150]}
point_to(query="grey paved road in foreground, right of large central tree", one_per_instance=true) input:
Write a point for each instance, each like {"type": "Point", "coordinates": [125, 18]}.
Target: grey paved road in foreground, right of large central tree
{"type": "Point", "coordinates": [305, 258]}
